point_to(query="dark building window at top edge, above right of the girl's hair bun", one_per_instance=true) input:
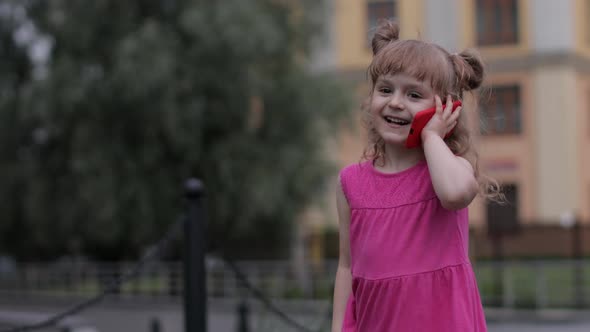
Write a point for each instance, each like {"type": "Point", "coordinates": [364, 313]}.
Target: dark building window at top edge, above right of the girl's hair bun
{"type": "Point", "coordinates": [497, 22]}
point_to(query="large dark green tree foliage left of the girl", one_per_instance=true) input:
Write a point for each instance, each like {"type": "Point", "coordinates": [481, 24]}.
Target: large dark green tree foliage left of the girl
{"type": "Point", "coordinates": [139, 95]}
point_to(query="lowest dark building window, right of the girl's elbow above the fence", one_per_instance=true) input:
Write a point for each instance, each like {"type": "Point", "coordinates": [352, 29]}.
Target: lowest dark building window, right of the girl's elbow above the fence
{"type": "Point", "coordinates": [503, 218]}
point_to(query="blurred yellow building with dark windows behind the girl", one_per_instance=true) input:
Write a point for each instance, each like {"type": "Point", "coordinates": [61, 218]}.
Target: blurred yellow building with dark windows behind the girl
{"type": "Point", "coordinates": [536, 136]}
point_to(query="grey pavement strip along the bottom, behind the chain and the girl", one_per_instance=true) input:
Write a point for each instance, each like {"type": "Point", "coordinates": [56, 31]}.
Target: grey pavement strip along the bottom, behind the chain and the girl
{"type": "Point", "coordinates": [167, 316]}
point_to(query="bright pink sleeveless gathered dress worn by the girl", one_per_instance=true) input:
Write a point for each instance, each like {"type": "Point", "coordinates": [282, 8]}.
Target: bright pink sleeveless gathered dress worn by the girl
{"type": "Point", "coordinates": [409, 262]}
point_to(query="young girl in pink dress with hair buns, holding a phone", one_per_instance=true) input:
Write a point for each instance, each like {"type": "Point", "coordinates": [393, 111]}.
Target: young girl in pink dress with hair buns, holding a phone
{"type": "Point", "coordinates": [403, 220]}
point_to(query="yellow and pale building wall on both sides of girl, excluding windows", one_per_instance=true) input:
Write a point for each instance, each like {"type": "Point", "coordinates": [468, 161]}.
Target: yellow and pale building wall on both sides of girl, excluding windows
{"type": "Point", "coordinates": [549, 160]}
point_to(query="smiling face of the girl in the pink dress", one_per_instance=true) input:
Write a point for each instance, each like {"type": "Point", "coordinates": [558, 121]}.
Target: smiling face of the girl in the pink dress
{"type": "Point", "coordinates": [395, 100]}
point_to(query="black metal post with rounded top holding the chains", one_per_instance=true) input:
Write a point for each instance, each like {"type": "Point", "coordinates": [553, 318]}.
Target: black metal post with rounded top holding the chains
{"type": "Point", "coordinates": [195, 296]}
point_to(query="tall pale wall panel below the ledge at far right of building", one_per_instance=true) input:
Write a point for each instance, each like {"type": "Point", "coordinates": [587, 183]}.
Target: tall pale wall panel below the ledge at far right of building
{"type": "Point", "coordinates": [556, 160]}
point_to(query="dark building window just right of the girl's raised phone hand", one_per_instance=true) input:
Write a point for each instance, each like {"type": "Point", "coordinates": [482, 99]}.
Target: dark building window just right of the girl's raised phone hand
{"type": "Point", "coordinates": [501, 114]}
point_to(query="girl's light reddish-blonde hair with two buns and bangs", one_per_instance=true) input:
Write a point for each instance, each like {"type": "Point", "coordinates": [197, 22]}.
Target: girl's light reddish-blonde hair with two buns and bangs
{"type": "Point", "coordinates": [454, 74]}
